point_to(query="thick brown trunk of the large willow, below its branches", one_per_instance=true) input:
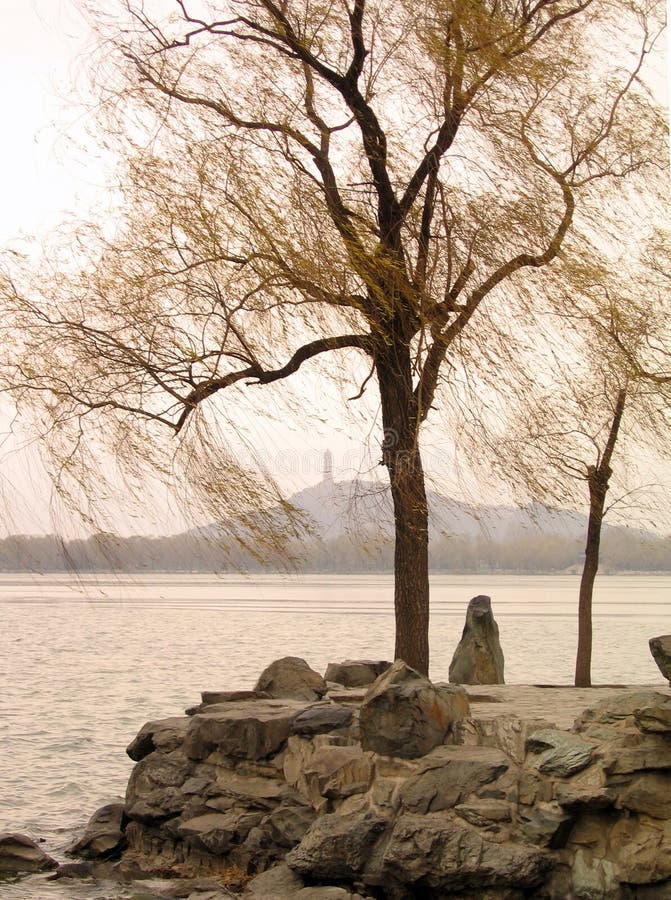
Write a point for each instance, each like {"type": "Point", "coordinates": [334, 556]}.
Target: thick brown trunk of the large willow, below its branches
{"type": "Point", "coordinates": [401, 455]}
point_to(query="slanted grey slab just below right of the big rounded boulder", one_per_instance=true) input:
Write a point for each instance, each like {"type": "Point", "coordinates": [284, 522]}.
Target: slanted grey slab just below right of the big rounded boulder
{"type": "Point", "coordinates": [448, 775]}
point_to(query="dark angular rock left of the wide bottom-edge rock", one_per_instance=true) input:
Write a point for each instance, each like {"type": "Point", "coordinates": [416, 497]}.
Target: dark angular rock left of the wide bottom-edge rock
{"type": "Point", "coordinates": [336, 847]}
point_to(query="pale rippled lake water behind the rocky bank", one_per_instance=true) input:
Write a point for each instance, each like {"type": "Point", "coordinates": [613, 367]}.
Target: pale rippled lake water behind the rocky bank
{"type": "Point", "coordinates": [86, 661]}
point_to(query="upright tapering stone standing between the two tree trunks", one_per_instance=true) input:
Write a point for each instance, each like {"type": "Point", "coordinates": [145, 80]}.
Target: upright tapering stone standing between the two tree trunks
{"type": "Point", "coordinates": [478, 658]}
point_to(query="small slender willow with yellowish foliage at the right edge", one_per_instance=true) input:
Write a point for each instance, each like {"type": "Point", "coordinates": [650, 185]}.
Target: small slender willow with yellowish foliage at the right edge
{"type": "Point", "coordinates": [593, 430]}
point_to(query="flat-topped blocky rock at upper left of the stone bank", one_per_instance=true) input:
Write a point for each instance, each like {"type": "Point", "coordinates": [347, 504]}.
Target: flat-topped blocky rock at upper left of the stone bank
{"type": "Point", "coordinates": [243, 729]}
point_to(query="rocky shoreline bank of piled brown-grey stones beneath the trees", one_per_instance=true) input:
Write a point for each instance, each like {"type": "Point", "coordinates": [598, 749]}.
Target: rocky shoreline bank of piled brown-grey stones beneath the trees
{"type": "Point", "coordinates": [372, 782]}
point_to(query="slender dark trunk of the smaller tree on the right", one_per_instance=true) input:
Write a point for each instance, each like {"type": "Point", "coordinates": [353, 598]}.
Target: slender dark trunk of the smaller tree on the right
{"type": "Point", "coordinates": [598, 478]}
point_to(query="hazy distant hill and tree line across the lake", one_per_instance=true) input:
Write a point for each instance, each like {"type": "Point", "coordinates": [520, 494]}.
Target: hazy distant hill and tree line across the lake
{"type": "Point", "coordinates": [351, 530]}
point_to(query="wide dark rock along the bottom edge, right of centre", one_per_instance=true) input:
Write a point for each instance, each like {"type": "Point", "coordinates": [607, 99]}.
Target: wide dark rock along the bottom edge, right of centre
{"type": "Point", "coordinates": [440, 854]}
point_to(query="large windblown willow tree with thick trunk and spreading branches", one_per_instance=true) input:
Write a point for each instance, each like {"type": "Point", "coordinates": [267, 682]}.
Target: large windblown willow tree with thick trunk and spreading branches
{"type": "Point", "coordinates": [352, 179]}
